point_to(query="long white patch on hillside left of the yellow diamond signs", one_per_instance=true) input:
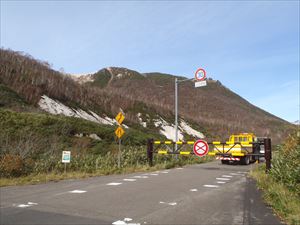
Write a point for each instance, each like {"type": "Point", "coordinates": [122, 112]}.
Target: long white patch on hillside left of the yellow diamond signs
{"type": "Point", "coordinates": [55, 107]}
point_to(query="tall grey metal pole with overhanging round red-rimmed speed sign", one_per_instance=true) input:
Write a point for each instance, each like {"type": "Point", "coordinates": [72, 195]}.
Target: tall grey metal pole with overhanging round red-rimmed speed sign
{"type": "Point", "coordinates": [200, 76]}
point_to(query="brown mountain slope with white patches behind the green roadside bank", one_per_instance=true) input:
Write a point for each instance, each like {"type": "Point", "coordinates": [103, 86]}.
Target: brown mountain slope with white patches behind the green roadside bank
{"type": "Point", "coordinates": [30, 85]}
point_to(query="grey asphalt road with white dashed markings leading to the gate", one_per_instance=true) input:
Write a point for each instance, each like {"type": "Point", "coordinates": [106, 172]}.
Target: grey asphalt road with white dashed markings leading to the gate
{"type": "Point", "coordinates": [208, 193]}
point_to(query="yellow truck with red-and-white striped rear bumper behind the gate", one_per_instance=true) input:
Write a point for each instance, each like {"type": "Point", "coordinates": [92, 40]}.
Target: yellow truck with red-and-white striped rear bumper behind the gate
{"type": "Point", "coordinates": [244, 148]}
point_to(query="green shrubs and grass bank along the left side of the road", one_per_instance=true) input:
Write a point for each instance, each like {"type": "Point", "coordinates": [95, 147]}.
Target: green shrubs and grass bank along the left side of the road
{"type": "Point", "coordinates": [31, 146]}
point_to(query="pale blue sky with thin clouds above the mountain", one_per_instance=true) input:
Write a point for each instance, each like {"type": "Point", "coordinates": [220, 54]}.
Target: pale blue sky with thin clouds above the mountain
{"type": "Point", "coordinates": [251, 47]}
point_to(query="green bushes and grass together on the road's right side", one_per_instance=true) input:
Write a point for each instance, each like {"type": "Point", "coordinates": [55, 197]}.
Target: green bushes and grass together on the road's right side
{"type": "Point", "coordinates": [281, 186]}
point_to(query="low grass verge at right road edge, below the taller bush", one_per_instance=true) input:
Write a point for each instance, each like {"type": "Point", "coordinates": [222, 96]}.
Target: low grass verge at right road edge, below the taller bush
{"type": "Point", "coordinates": [284, 202]}
